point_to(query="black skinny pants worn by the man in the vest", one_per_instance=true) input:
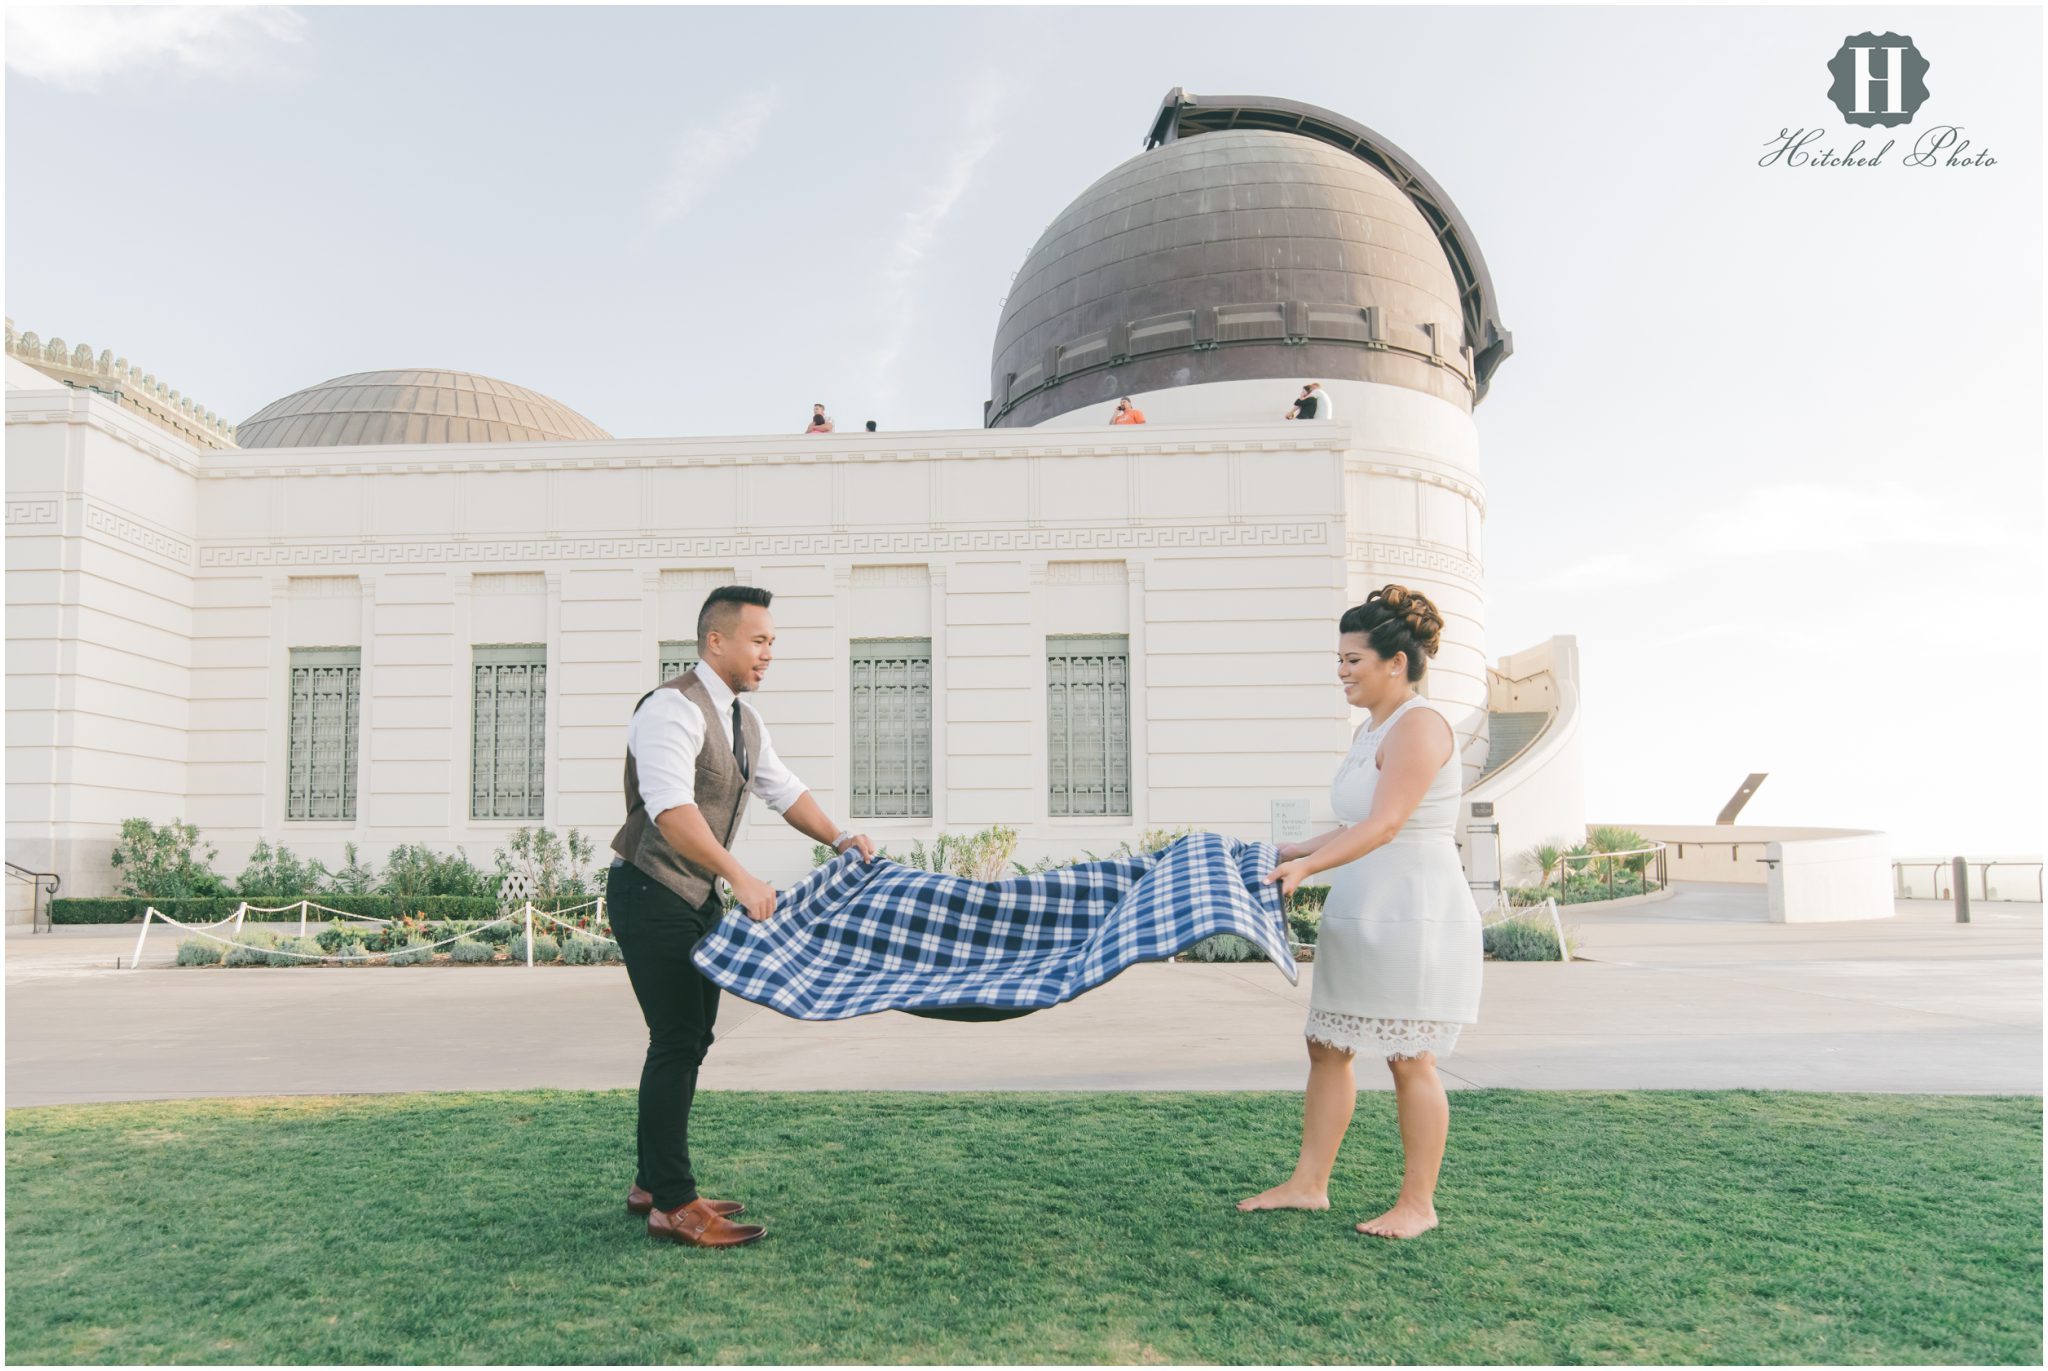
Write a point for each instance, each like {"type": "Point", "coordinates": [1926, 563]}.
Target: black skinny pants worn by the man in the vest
{"type": "Point", "coordinates": [656, 931]}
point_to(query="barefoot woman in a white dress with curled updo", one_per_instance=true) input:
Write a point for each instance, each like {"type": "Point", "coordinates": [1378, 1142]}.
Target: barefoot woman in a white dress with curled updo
{"type": "Point", "coordinates": [1400, 952]}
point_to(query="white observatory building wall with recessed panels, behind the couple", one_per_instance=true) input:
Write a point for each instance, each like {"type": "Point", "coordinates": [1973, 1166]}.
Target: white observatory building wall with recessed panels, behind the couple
{"type": "Point", "coordinates": [151, 642]}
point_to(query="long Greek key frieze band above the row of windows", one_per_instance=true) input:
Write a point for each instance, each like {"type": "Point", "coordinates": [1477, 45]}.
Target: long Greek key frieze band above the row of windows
{"type": "Point", "coordinates": [894, 544]}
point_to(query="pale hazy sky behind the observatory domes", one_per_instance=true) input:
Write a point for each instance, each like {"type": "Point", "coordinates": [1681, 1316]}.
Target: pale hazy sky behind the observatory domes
{"type": "Point", "coordinates": [1770, 444]}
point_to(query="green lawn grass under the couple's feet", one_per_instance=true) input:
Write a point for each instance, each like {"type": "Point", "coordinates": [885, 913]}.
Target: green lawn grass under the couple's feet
{"type": "Point", "coordinates": [1578, 1229]}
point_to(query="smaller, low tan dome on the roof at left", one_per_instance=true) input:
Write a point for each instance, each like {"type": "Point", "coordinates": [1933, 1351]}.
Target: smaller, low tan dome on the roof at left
{"type": "Point", "coordinates": [413, 407]}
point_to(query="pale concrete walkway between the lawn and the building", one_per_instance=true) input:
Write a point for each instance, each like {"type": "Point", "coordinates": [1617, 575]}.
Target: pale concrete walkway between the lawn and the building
{"type": "Point", "coordinates": [1695, 993]}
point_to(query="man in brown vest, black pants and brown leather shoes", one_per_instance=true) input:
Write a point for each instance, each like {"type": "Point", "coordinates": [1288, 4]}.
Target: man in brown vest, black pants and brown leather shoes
{"type": "Point", "coordinates": [695, 751]}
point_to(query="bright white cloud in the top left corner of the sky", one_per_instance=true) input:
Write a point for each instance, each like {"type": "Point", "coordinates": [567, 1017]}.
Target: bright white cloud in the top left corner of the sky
{"type": "Point", "coordinates": [81, 48]}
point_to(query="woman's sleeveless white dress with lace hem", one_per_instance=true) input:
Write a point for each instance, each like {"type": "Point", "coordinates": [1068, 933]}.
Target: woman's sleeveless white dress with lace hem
{"type": "Point", "coordinates": [1398, 958]}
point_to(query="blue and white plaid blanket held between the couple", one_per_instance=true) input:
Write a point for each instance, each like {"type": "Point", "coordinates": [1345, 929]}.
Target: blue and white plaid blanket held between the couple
{"type": "Point", "coordinates": [861, 938]}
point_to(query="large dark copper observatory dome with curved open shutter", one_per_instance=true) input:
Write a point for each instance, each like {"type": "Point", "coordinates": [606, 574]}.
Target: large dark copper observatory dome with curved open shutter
{"type": "Point", "coordinates": [1252, 241]}
